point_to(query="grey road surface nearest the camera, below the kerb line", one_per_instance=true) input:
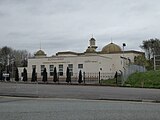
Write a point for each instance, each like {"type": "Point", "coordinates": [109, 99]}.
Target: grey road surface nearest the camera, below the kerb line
{"type": "Point", "coordinates": [12, 108]}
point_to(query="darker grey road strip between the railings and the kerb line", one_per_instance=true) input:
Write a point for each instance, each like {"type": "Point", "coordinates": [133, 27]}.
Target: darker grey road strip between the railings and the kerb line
{"type": "Point", "coordinates": [79, 92]}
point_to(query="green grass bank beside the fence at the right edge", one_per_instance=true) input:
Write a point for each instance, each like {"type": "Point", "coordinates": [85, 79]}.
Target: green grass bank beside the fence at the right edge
{"type": "Point", "coordinates": [149, 79]}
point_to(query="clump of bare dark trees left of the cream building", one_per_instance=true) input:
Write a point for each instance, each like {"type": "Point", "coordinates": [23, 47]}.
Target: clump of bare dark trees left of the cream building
{"type": "Point", "coordinates": [10, 58]}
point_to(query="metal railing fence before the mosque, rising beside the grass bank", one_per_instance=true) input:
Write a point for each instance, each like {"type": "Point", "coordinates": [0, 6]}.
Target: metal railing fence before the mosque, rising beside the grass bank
{"type": "Point", "coordinates": [93, 78]}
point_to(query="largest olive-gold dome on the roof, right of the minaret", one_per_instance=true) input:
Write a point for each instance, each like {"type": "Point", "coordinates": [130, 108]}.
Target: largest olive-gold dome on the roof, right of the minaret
{"type": "Point", "coordinates": [111, 48]}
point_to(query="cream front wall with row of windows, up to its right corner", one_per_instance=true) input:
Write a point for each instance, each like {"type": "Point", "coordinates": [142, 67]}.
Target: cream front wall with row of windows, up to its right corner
{"type": "Point", "coordinates": [91, 64]}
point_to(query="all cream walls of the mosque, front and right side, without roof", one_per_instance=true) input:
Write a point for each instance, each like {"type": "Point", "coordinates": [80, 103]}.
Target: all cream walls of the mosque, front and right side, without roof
{"type": "Point", "coordinates": [104, 63]}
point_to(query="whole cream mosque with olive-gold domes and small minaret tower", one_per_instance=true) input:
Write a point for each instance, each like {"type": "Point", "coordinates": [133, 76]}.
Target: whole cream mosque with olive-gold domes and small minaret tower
{"type": "Point", "coordinates": [110, 59]}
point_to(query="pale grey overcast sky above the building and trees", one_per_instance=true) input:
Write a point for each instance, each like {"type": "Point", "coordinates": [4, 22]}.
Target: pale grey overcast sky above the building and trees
{"type": "Point", "coordinates": [61, 25]}
